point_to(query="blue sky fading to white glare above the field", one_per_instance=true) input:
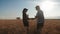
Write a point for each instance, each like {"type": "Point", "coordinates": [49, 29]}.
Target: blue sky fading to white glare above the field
{"type": "Point", "coordinates": [10, 9]}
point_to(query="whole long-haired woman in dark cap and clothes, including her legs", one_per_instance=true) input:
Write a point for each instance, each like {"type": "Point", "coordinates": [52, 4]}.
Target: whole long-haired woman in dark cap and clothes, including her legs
{"type": "Point", "coordinates": [25, 19]}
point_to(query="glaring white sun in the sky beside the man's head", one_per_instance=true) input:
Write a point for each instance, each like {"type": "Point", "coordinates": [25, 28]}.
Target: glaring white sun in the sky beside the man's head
{"type": "Point", "coordinates": [46, 5]}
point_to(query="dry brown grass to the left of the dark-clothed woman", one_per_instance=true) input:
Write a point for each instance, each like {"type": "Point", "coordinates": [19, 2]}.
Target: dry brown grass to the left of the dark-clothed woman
{"type": "Point", "coordinates": [11, 27]}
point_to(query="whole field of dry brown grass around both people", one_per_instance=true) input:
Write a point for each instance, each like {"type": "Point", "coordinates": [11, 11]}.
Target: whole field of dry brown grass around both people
{"type": "Point", "coordinates": [16, 27]}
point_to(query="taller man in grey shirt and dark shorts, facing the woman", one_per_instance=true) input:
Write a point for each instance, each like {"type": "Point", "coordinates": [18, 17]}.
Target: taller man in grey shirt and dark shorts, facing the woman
{"type": "Point", "coordinates": [40, 19]}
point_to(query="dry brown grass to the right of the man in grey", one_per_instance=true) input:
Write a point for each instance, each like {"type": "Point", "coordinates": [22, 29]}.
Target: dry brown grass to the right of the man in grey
{"type": "Point", "coordinates": [51, 27]}
